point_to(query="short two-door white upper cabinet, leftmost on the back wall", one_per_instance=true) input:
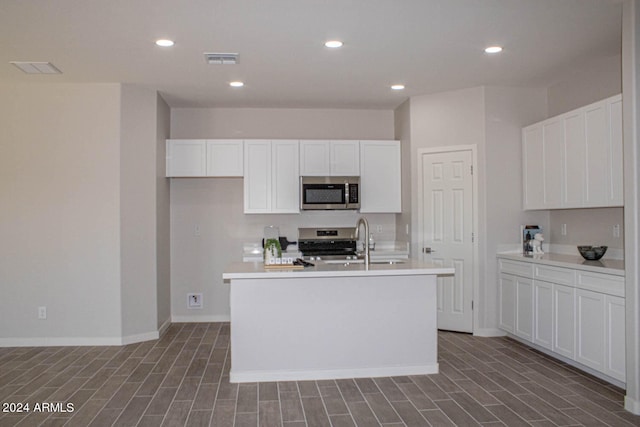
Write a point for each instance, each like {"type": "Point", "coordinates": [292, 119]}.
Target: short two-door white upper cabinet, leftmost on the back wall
{"type": "Point", "coordinates": [204, 158]}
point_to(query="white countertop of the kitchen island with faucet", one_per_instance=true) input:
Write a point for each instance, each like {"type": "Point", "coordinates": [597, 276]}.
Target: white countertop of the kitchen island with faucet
{"type": "Point", "coordinates": [409, 267]}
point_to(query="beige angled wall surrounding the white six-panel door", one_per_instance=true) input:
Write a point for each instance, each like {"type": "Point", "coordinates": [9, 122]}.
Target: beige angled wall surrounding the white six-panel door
{"type": "Point", "coordinates": [491, 119]}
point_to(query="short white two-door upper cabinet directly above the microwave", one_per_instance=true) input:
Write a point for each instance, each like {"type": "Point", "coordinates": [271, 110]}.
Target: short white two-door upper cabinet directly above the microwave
{"type": "Point", "coordinates": [329, 158]}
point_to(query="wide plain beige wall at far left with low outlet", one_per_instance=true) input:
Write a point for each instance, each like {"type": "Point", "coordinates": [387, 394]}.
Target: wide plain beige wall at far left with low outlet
{"type": "Point", "coordinates": [59, 213]}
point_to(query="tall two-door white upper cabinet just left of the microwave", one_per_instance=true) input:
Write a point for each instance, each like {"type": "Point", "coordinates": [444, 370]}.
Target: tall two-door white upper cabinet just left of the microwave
{"type": "Point", "coordinates": [271, 180]}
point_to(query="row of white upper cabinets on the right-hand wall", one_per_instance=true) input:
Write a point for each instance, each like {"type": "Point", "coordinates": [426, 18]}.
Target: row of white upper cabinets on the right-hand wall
{"type": "Point", "coordinates": [575, 160]}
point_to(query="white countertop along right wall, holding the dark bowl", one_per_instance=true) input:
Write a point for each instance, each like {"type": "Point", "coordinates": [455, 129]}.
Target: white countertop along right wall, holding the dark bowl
{"type": "Point", "coordinates": [606, 266]}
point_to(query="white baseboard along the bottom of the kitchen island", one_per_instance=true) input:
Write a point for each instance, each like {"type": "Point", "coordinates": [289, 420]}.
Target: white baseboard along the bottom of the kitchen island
{"type": "Point", "coordinates": [282, 375]}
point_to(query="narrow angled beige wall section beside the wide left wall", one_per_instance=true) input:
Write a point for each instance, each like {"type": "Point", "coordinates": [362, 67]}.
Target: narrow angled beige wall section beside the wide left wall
{"type": "Point", "coordinates": [138, 211]}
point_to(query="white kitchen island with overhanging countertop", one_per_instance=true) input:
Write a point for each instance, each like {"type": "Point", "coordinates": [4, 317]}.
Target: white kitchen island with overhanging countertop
{"type": "Point", "coordinates": [333, 320]}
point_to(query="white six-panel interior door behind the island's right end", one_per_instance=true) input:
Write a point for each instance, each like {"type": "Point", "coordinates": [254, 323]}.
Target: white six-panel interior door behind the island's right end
{"type": "Point", "coordinates": [447, 232]}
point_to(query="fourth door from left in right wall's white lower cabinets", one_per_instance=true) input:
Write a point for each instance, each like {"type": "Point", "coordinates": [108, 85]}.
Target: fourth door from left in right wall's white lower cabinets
{"type": "Point", "coordinates": [564, 320]}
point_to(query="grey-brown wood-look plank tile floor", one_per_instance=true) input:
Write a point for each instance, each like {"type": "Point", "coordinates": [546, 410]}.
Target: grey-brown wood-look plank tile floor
{"type": "Point", "coordinates": [182, 379]}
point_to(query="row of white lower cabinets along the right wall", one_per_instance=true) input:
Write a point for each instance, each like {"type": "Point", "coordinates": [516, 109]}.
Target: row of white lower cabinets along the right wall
{"type": "Point", "coordinates": [577, 314]}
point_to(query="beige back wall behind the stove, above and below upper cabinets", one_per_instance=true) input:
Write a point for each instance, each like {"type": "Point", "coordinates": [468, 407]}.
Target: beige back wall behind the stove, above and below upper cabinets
{"type": "Point", "coordinates": [216, 204]}
